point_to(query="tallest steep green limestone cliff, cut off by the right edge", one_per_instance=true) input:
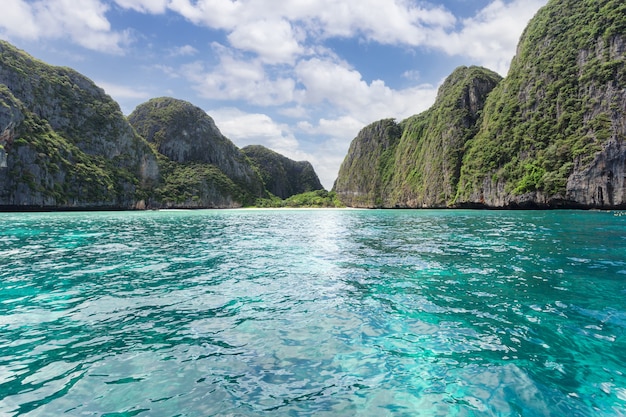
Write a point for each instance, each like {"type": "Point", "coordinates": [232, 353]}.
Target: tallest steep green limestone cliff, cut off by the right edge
{"type": "Point", "coordinates": [554, 131]}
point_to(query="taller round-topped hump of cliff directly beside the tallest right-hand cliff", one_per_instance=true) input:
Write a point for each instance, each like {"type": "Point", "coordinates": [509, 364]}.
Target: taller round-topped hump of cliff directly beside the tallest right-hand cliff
{"type": "Point", "coordinates": [428, 158]}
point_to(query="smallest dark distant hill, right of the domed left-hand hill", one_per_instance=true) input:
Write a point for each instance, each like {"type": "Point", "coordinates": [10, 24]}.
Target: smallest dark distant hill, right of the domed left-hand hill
{"type": "Point", "coordinates": [282, 176]}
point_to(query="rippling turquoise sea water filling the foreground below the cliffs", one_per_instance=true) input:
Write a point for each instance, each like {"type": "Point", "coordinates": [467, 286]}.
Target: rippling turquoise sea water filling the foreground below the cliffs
{"type": "Point", "coordinates": [313, 312]}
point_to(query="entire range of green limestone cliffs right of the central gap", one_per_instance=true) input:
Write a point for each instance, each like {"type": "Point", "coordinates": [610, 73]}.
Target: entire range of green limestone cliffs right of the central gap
{"type": "Point", "coordinates": [550, 134]}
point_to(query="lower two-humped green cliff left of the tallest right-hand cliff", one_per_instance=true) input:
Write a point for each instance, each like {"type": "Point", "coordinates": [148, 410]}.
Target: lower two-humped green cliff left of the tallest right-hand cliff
{"type": "Point", "coordinates": [417, 163]}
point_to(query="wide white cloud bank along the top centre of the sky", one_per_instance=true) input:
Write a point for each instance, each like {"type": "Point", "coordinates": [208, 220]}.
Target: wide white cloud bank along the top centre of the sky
{"type": "Point", "coordinates": [278, 34]}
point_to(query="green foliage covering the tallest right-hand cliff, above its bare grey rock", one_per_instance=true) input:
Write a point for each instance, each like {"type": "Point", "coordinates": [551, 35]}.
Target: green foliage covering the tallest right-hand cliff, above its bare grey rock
{"type": "Point", "coordinates": [551, 110]}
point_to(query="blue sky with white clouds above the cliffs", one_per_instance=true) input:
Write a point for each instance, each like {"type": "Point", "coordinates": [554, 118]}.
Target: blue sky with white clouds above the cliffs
{"type": "Point", "coordinates": [301, 77]}
